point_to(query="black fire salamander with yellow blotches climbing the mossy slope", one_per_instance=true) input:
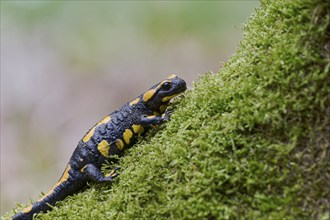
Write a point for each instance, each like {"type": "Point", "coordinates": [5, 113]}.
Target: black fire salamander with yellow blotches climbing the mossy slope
{"type": "Point", "coordinates": [110, 136]}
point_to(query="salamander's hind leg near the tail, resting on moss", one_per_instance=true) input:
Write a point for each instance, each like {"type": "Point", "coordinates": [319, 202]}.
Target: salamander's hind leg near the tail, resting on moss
{"type": "Point", "coordinates": [95, 174]}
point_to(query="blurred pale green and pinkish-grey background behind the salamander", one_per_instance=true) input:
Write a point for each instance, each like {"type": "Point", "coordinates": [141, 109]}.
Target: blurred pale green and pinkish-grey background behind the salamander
{"type": "Point", "coordinates": [66, 64]}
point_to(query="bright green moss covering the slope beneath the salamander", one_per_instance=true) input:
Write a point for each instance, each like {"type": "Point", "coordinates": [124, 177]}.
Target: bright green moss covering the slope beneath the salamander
{"type": "Point", "coordinates": [250, 141]}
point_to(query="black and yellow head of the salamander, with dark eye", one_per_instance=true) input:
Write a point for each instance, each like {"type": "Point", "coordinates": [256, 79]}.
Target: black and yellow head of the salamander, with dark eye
{"type": "Point", "coordinates": [158, 96]}
